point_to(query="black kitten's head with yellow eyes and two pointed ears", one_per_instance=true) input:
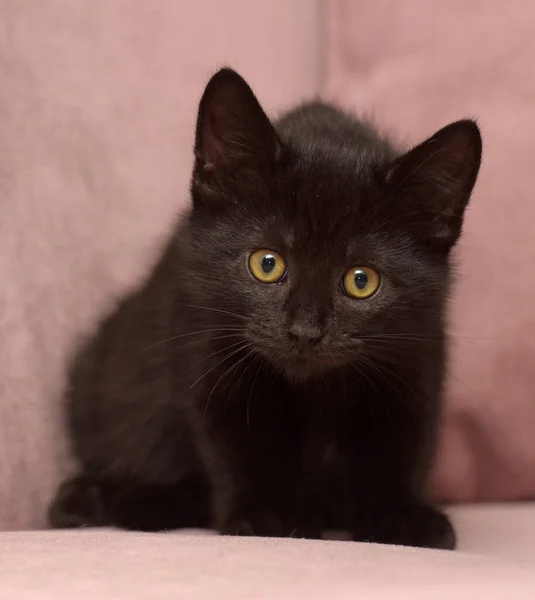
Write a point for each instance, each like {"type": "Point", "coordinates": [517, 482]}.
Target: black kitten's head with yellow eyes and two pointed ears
{"type": "Point", "coordinates": [332, 246]}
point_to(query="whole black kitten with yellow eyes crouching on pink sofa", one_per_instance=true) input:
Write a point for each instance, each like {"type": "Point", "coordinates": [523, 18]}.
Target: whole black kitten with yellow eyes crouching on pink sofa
{"type": "Point", "coordinates": [281, 371]}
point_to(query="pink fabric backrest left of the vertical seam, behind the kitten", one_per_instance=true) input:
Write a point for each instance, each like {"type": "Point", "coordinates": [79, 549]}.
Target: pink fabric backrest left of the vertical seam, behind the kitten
{"type": "Point", "coordinates": [97, 111]}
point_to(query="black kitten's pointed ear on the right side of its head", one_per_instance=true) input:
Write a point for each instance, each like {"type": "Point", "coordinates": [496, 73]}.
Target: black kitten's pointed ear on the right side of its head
{"type": "Point", "coordinates": [435, 180]}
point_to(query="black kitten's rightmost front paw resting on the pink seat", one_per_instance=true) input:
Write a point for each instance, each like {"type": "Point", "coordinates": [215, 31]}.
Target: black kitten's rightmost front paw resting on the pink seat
{"type": "Point", "coordinates": [407, 525]}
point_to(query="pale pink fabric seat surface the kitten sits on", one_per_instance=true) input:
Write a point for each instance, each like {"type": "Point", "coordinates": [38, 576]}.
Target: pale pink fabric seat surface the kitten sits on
{"type": "Point", "coordinates": [494, 562]}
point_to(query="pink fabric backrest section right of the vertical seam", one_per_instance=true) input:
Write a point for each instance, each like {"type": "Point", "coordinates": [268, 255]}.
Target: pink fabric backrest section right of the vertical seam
{"type": "Point", "coordinates": [413, 67]}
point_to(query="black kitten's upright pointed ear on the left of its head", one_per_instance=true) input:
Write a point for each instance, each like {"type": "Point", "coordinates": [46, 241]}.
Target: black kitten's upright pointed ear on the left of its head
{"type": "Point", "coordinates": [233, 132]}
